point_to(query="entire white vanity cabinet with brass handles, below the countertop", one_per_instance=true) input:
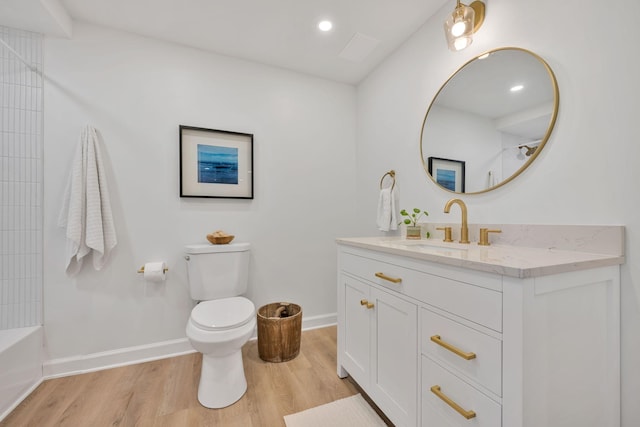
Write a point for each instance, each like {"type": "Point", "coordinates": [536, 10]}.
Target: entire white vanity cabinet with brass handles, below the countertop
{"type": "Point", "coordinates": [440, 345]}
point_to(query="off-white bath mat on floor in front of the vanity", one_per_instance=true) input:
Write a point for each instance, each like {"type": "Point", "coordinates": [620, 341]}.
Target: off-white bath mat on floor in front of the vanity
{"type": "Point", "coordinates": [352, 411]}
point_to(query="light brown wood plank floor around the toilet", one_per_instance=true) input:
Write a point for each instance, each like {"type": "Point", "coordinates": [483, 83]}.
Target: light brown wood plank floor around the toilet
{"type": "Point", "coordinates": [164, 392]}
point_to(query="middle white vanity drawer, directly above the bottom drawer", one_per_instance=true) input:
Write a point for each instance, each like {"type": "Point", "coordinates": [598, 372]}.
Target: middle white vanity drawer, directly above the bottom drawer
{"type": "Point", "coordinates": [484, 367]}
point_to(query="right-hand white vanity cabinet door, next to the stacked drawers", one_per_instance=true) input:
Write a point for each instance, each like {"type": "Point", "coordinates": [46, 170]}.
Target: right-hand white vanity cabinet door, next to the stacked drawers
{"type": "Point", "coordinates": [394, 357]}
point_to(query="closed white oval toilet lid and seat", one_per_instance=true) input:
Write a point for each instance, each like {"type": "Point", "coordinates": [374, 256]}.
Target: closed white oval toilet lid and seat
{"type": "Point", "coordinates": [221, 314]}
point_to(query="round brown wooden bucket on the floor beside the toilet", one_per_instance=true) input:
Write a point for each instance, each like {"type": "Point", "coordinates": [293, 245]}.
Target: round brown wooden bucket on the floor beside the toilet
{"type": "Point", "coordinates": [279, 337]}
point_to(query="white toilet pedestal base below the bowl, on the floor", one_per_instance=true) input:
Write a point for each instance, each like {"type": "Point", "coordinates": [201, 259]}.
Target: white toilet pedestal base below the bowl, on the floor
{"type": "Point", "coordinates": [222, 380]}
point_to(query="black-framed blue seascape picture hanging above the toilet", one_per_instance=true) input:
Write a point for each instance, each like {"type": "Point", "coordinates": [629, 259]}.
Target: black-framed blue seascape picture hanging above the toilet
{"type": "Point", "coordinates": [215, 163]}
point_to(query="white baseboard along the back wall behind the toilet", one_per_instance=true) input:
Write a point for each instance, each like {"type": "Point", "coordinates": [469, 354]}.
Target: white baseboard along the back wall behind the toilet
{"type": "Point", "coordinates": [145, 353]}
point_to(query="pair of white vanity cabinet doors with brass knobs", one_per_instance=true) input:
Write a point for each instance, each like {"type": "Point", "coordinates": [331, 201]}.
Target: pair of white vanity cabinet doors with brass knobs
{"type": "Point", "coordinates": [380, 351]}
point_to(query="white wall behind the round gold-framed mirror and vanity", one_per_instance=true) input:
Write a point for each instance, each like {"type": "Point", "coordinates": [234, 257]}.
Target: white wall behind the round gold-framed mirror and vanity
{"type": "Point", "coordinates": [587, 172]}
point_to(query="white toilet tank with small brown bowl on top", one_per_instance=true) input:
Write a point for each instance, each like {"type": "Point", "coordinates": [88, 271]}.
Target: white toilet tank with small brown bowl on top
{"type": "Point", "coordinates": [217, 271]}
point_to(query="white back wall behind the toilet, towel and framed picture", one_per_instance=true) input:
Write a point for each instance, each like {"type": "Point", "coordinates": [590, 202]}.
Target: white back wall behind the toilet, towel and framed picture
{"type": "Point", "coordinates": [136, 92]}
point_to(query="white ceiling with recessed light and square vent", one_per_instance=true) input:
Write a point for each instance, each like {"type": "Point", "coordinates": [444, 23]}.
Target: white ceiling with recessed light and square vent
{"type": "Point", "coordinates": [282, 33]}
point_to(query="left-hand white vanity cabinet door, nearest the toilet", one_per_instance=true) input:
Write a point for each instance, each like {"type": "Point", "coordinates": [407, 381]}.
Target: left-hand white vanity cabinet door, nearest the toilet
{"type": "Point", "coordinates": [357, 320]}
